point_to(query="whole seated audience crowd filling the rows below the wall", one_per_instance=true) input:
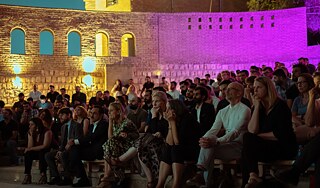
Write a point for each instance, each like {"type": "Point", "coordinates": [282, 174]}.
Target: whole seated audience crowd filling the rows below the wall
{"type": "Point", "coordinates": [263, 114]}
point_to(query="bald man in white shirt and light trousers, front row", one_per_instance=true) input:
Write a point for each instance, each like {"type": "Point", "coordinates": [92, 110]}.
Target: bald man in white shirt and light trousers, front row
{"type": "Point", "coordinates": [234, 119]}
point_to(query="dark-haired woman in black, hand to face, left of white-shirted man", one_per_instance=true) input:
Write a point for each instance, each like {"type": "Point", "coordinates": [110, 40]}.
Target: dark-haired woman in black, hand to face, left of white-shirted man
{"type": "Point", "coordinates": [181, 143]}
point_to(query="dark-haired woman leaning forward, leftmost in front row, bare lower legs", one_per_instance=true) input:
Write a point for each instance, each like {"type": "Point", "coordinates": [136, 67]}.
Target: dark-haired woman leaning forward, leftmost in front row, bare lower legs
{"type": "Point", "coordinates": [39, 141]}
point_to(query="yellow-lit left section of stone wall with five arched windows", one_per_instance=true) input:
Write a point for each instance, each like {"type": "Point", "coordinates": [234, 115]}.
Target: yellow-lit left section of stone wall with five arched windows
{"type": "Point", "coordinates": [66, 71]}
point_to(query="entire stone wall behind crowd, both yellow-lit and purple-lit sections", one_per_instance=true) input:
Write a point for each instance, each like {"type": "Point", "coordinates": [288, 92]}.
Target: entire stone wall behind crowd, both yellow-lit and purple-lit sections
{"type": "Point", "coordinates": [165, 46]}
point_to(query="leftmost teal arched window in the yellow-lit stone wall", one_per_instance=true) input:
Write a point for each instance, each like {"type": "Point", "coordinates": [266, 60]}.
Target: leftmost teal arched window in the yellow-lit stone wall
{"type": "Point", "coordinates": [17, 37]}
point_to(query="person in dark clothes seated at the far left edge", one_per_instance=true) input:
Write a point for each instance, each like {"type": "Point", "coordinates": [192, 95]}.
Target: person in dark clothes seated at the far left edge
{"type": "Point", "coordinates": [9, 134]}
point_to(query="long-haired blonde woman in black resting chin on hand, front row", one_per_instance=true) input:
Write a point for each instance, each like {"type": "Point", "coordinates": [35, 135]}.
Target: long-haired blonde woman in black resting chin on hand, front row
{"type": "Point", "coordinates": [270, 135]}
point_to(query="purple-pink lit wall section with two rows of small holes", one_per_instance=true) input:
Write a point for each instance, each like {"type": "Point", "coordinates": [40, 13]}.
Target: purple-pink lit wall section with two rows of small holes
{"type": "Point", "coordinates": [233, 40]}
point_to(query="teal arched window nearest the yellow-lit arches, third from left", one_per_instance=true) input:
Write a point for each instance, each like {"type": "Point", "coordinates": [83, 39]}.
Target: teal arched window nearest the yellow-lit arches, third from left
{"type": "Point", "coordinates": [74, 44]}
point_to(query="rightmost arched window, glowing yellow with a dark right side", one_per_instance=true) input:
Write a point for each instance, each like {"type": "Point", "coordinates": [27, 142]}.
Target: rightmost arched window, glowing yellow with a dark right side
{"type": "Point", "coordinates": [127, 45]}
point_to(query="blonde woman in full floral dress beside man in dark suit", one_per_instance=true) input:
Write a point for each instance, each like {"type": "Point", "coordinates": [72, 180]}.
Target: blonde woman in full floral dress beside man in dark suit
{"type": "Point", "coordinates": [119, 147]}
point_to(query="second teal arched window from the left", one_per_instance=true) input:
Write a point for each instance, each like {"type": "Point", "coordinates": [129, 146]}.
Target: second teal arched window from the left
{"type": "Point", "coordinates": [46, 43]}
